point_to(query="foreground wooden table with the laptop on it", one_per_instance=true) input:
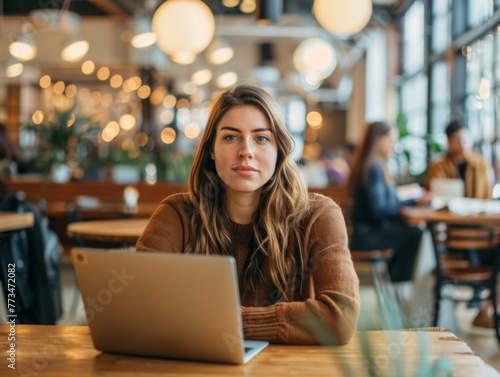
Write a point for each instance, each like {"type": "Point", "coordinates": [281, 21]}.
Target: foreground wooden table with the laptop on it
{"type": "Point", "coordinates": [68, 351]}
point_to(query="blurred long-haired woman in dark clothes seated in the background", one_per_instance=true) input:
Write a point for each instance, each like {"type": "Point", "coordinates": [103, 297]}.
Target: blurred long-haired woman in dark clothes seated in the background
{"type": "Point", "coordinates": [375, 215]}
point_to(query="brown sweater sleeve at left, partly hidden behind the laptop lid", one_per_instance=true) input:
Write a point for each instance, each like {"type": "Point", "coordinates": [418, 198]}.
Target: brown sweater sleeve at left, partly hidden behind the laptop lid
{"type": "Point", "coordinates": [165, 230]}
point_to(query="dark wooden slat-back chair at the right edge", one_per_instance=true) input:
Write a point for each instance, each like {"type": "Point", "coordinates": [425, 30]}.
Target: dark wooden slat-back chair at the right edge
{"type": "Point", "coordinates": [452, 269]}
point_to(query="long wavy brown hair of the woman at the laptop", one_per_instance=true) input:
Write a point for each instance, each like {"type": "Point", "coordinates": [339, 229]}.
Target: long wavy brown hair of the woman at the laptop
{"type": "Point", "coordinates": [283, 201]}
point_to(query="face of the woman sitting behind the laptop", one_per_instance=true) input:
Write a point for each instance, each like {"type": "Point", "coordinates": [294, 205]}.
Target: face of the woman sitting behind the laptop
{"type": "Point", "coordinates": [245, 150]}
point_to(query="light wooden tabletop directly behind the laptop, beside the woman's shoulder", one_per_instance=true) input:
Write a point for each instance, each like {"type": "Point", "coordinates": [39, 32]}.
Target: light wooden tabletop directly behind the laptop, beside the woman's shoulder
{"type": "Point", "coordinates": [126, 231]}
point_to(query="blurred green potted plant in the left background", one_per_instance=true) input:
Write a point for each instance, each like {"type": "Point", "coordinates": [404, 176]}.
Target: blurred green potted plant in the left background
{"type": "Point", "coordinates": [59, 134]}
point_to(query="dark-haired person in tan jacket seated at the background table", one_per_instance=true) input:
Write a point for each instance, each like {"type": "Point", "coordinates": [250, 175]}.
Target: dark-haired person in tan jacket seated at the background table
{"type": "Point", "coordinates": [460, 162]}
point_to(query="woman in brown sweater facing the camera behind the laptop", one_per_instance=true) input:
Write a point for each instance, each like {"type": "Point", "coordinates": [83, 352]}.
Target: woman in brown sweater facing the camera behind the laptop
{"type": "Point", "coordinates": [248, 199]}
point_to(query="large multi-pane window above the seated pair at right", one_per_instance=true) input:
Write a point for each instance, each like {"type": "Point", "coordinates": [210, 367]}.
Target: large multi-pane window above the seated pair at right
{"type": "Point", "coordinates": [463, 72]}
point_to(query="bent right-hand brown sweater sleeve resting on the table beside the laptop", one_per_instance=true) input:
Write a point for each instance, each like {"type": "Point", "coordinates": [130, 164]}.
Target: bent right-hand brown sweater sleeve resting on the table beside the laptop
{"type": "Point", "coordinates": [334, 285]}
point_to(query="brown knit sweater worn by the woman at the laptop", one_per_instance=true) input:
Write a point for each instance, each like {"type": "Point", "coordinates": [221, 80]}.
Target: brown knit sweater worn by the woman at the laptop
{"type": "Point", "coordinates": [330, 288]}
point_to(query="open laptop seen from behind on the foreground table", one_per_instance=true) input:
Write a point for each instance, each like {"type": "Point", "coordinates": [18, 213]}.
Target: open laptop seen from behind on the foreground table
{"type": "Point", "coordinates": [164, 305]}
